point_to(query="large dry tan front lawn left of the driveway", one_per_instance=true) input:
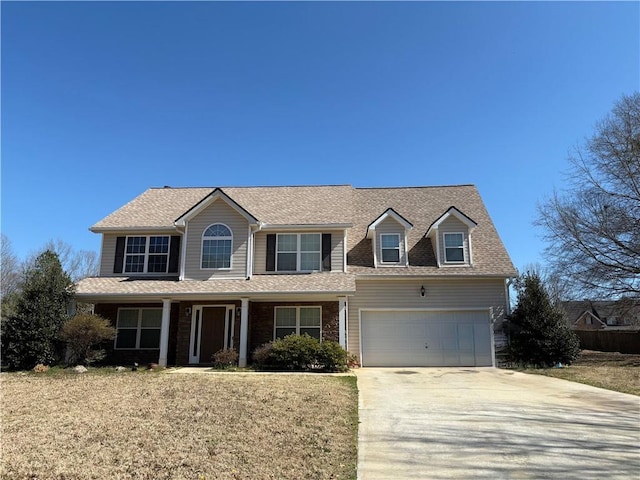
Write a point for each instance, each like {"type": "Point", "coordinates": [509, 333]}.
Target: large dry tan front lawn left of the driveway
{"type": "Point", "coordinates": [171, 426]}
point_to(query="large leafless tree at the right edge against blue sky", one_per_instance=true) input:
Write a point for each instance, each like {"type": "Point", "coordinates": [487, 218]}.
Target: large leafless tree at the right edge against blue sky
{"type": "Point", "coordinates": [593, 226]}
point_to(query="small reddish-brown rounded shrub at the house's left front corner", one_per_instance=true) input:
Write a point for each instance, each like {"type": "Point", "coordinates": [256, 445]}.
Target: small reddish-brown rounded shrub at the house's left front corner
{"type": "Point", "coordinates": [82, 333]}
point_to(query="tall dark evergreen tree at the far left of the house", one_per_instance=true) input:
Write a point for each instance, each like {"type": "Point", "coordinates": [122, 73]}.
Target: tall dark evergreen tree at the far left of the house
{"type": "Point", "coordinates": [29, 335]}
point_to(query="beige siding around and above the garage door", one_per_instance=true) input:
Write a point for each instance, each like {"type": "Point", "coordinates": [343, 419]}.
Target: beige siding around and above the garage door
{"type": "Point", "coordinates": [405, 294]}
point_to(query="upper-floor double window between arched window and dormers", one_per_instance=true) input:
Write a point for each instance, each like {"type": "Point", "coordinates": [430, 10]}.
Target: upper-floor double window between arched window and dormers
{"type": "Point", "coordinates": [298, 252]}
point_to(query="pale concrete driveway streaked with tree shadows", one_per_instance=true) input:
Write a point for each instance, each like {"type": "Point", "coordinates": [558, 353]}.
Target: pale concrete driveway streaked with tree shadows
{"type": "Point", "coordinates": [476, 423]}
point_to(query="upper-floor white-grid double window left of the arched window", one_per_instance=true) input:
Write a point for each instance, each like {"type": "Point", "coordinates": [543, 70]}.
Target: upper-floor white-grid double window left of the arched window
{"type": "Point", "coordinates": [147, 254]}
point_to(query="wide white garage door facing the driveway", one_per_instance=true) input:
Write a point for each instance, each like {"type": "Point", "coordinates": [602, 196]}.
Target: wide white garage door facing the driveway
{"type": "Point", "coordinates": [425, 339]}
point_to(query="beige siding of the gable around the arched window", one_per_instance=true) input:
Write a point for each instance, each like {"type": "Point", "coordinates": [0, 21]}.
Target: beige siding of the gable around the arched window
{"type": "Point", "coordinates": [218, 212]}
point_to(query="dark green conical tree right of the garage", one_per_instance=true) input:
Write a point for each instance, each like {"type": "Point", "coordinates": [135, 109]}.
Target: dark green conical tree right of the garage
{"type": "Point", "coordinates": [539, 335]}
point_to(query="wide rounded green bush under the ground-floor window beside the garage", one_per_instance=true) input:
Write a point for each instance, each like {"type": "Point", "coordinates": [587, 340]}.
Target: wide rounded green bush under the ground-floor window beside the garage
{"type": "Point", "coordinates": [301, 353]}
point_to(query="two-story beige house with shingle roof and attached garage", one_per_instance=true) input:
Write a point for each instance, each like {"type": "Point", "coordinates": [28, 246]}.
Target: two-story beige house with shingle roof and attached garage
{"type": "Point", "coordinates": [399, 276]}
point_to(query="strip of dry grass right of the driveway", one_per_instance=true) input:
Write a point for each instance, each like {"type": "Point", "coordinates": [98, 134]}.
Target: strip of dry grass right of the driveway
{"type": "Point", "coordinates": [613, 371]}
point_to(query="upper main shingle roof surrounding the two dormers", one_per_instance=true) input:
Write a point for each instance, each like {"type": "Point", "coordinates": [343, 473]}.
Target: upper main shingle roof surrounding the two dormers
{"type": "Point", "coordinates": [341, 204]}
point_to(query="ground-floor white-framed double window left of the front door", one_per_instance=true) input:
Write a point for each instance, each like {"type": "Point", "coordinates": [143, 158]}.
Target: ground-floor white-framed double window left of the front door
{"type": "Point", "coordinates": [138, 328]}
